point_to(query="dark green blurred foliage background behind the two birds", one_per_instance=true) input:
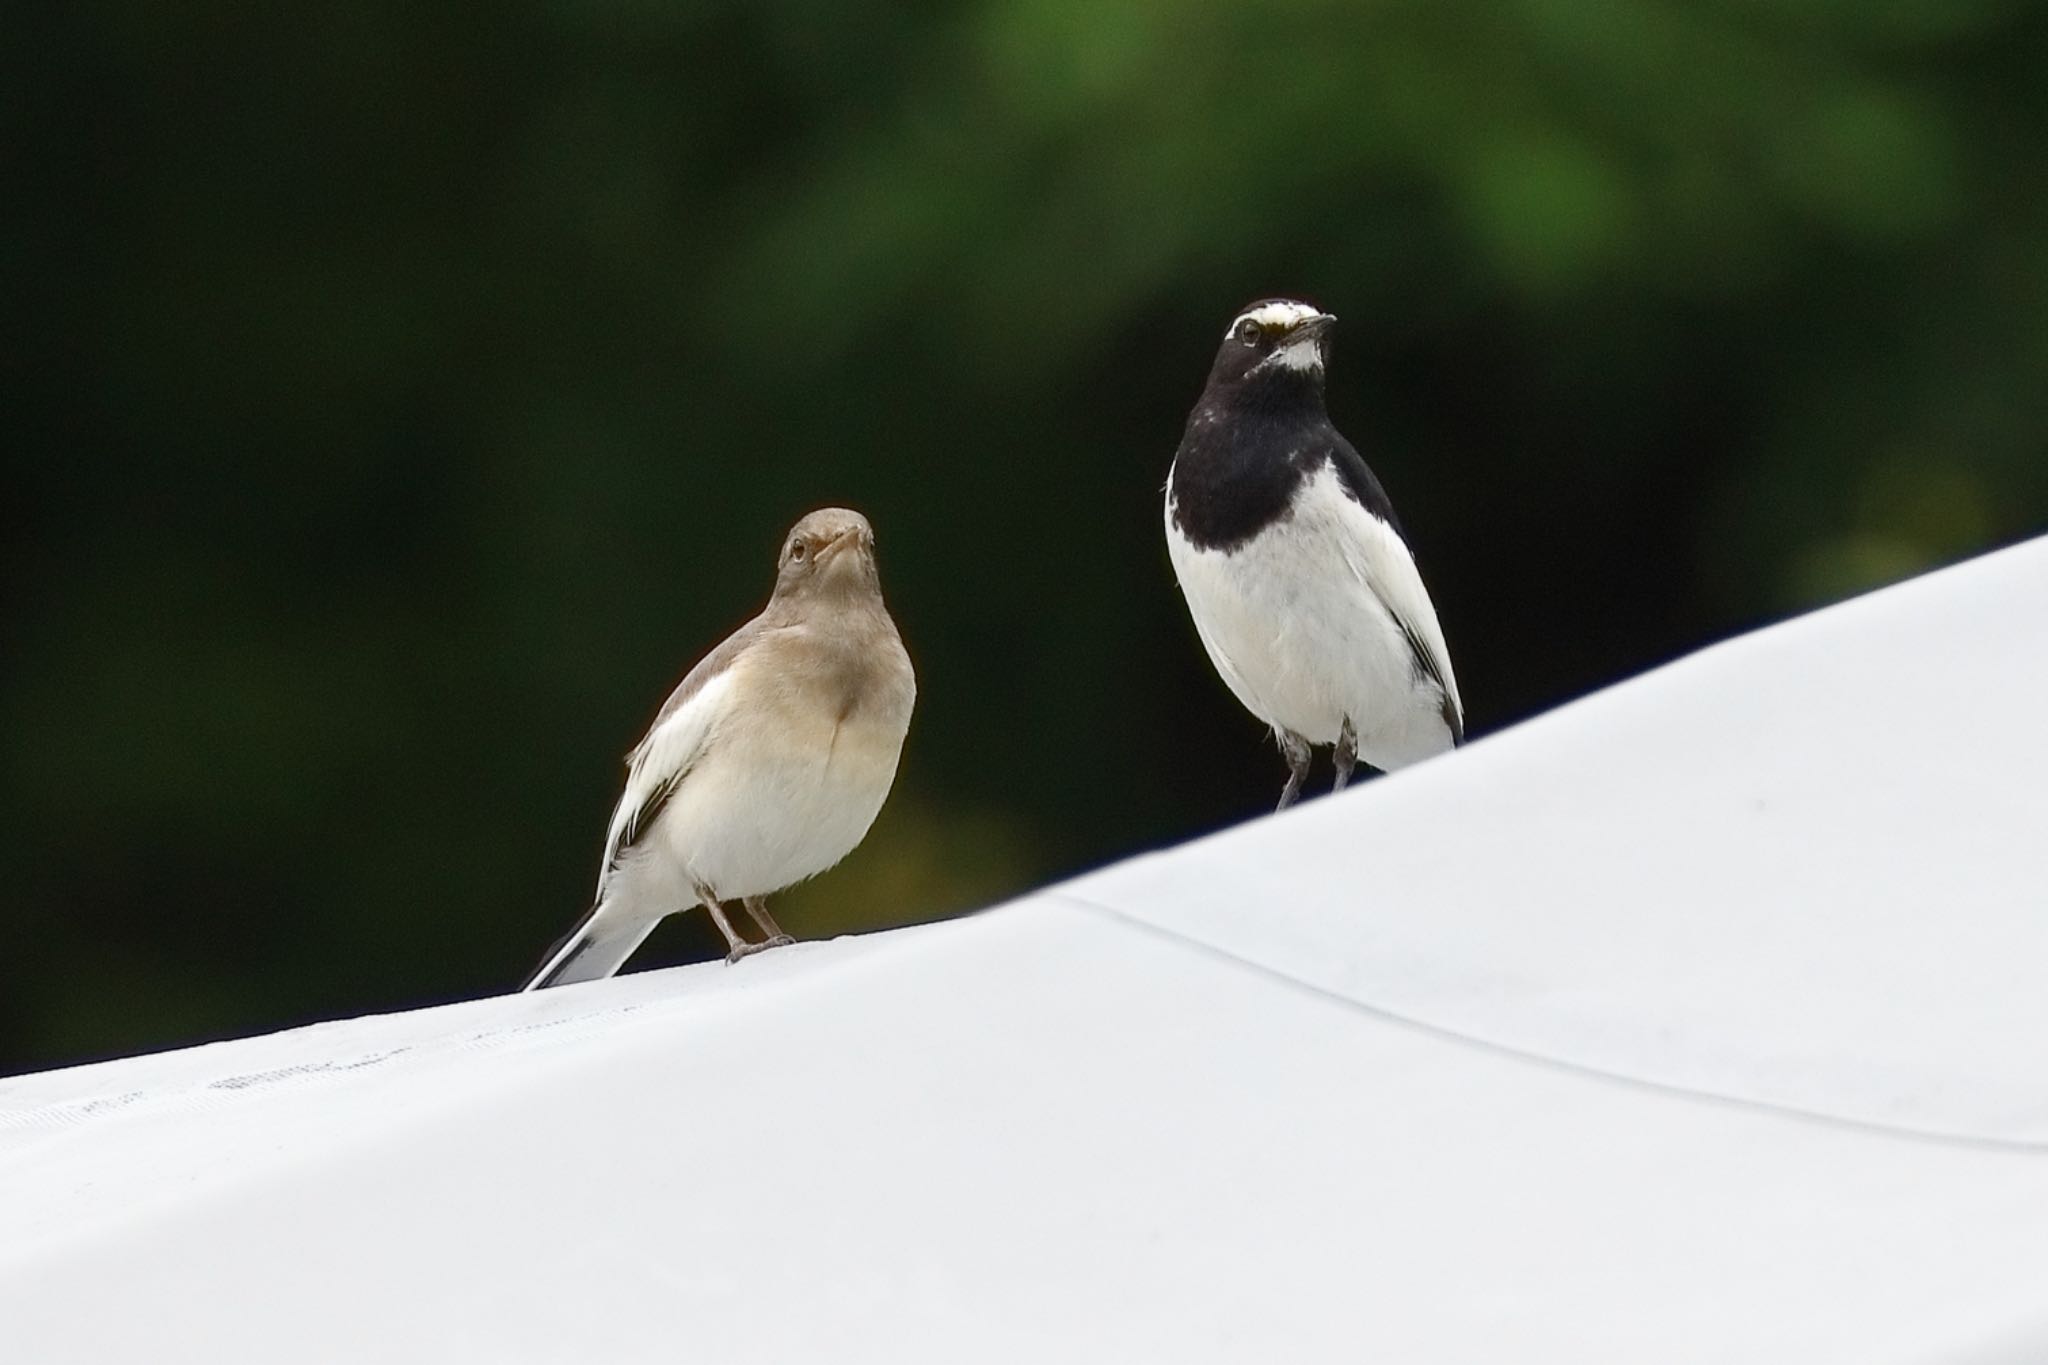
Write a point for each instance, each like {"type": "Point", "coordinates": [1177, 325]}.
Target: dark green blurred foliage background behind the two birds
{"type": "Point", "coordinates": [402, 394]}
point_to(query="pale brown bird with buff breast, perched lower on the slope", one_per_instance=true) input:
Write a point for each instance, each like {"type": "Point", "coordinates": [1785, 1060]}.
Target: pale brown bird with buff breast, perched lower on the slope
{"type": "Point", "coordinates": [765, 766]}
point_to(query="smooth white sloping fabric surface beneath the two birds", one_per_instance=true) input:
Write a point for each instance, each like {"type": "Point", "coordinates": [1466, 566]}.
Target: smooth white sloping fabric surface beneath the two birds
{"type": "Point", "coordinates": [1695, 1022]}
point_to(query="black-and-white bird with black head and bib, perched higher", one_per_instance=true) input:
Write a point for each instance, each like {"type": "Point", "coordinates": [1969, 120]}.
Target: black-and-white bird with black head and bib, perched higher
{"type": "Point", "coordinates": [1293, 562]}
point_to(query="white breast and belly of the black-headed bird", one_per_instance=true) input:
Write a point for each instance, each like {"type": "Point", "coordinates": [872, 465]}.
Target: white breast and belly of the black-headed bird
{"type": "Point", "coordinates": [1297, 625]}
